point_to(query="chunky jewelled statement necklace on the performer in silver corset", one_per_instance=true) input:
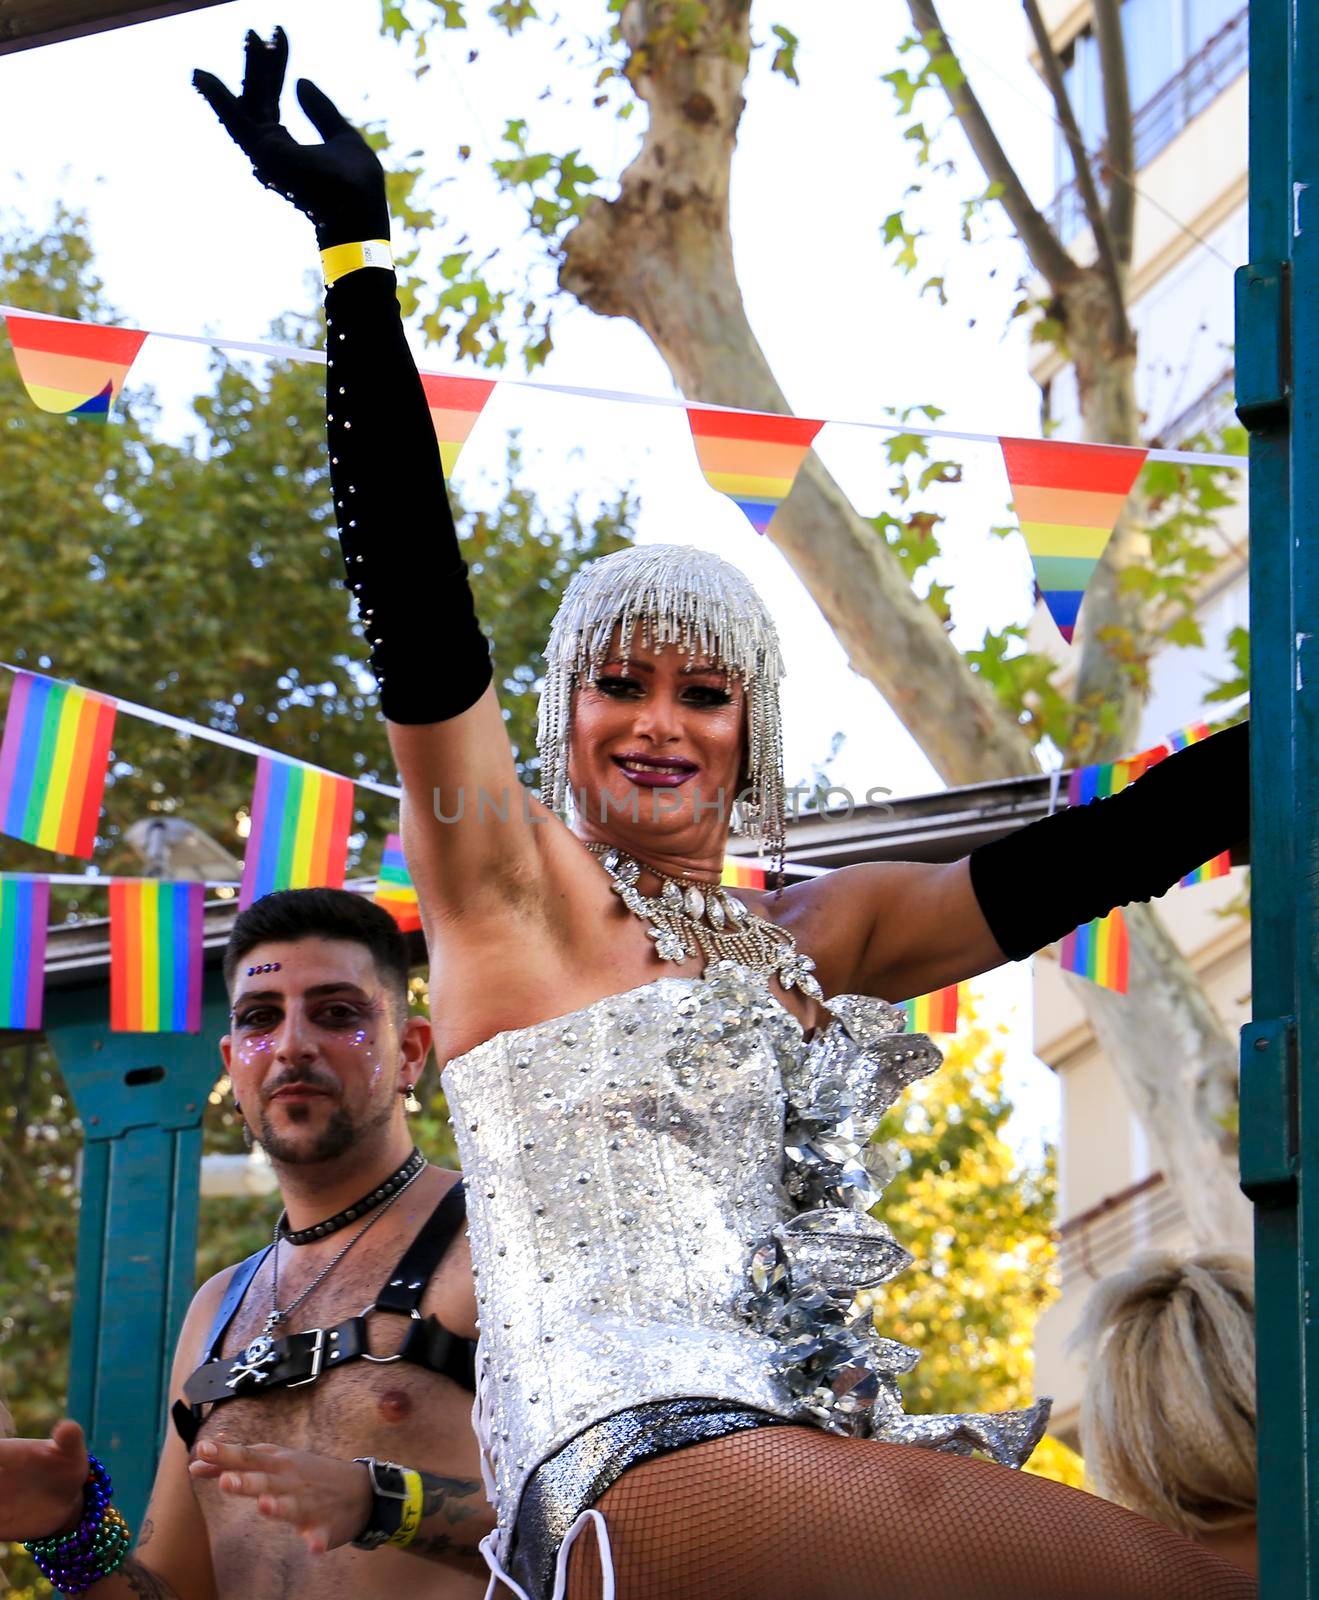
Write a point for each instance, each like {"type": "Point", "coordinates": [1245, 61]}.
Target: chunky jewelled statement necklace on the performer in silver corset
{"type": "Point", "coordinates": [691, 919]}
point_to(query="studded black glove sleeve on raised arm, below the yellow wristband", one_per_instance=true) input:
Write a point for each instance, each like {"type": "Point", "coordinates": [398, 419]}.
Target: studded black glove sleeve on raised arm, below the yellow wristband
{"type": "Point", "coordinates": [396, 529]}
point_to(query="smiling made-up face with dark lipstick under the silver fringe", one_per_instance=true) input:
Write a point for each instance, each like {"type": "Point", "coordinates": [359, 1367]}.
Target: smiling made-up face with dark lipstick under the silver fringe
{"type": "Point", "coordinates": [657, 748]}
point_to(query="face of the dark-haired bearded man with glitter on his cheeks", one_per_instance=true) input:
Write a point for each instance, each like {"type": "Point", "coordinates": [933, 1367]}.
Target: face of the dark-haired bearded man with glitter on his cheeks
{"type": "Point", "coordinates": [316, 1052]}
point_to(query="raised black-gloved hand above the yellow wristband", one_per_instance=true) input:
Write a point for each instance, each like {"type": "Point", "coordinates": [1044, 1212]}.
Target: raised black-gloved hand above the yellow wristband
{"type": "Point", "coordinates": [339, 185]}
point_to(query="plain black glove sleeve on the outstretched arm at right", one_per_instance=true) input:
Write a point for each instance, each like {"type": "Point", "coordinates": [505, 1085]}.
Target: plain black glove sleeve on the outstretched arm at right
{"type": "Point", "coordinates": [1044, 881]}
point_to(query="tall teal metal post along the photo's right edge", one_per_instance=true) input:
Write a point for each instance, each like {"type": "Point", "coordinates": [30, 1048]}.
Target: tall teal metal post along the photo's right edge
{"type": "Point", "coordinates": [1278, 393]}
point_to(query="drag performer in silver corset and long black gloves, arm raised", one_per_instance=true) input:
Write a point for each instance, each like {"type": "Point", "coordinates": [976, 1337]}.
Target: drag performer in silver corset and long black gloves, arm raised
{"type": "Point", "coordinates": [664, 1090]}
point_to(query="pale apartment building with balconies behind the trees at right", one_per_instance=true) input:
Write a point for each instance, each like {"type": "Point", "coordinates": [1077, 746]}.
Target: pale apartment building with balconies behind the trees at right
{"type": "Point", "coordinates": [1187, 66]}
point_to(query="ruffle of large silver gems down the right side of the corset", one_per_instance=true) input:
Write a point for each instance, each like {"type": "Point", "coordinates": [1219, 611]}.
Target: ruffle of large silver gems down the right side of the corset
{"type": "Point", "coordinates": [808, 1274]}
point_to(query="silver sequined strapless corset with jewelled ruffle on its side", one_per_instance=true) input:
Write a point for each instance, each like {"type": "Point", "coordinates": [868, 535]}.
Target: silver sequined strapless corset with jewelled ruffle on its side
{"type": "Point", "coordinates": [668, 1196]}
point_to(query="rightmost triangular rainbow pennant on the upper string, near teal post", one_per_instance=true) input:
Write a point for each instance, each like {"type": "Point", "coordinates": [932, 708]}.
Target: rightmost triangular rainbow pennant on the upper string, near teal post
{"type": "Point", "coordinates": [1068, 500]}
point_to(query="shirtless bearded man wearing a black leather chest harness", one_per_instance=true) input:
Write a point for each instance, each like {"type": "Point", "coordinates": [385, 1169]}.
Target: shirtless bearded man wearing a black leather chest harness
{"type": "Point", "coordinates": [323, 1054]}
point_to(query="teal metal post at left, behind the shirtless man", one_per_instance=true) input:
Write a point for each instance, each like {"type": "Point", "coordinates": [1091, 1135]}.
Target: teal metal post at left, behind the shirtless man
{"type": "Point", "coordinates": [142, 1098]}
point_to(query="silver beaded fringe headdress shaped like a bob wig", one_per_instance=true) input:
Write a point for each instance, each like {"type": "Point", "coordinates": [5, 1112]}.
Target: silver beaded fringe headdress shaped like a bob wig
{"type": "Point", "coordinates": [688, 598]}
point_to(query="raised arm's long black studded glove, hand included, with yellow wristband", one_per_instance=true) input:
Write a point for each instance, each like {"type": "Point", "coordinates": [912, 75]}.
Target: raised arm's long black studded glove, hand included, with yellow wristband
{"type": "Point", "coordinates": [396, 527]}
